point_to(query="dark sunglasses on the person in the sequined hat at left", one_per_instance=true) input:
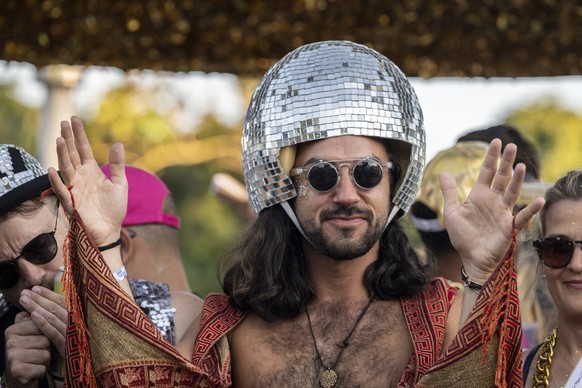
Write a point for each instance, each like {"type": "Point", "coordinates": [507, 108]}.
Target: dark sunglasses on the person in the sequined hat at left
{"type": "Point", "coordinates": [40, 250]}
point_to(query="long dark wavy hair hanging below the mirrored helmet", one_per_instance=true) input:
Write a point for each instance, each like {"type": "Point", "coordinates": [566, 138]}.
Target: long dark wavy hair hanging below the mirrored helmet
{"type": "Point", "coordinates": [266, 272]}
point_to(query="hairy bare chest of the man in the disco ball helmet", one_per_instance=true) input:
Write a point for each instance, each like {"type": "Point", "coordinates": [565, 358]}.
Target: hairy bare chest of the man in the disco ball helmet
{"type": "Point", "coordinates": [285, 353]}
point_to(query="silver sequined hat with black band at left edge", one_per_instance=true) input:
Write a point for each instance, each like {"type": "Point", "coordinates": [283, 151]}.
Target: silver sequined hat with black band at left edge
{"type": "Point", "coordinates": [22, 177]}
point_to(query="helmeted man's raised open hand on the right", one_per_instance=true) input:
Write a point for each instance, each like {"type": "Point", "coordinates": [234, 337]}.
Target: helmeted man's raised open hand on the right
{"type": "Point", "coordinates": [481, 228]}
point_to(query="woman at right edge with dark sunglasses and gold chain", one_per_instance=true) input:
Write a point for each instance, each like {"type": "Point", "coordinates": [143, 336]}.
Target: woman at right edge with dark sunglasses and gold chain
{"type": "Point", "coordinates": [551, 362]}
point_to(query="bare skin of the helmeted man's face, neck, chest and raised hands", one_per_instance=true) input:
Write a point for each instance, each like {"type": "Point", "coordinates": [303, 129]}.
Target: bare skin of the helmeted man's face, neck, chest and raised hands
{"type": "Point", "coordinates": [281, 352]}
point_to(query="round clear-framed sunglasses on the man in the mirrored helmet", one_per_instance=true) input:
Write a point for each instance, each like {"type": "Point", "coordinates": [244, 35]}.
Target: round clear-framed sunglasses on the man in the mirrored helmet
{"type": "Point", "coordinates": [323, 175]}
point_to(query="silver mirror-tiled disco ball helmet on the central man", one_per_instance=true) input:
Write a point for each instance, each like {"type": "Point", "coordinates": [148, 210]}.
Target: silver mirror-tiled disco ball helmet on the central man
{"type": "Point", "coordinates": [322, 90]}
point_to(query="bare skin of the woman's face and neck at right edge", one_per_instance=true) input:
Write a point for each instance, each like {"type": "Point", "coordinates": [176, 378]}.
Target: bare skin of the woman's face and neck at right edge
{"type": "Point", "coordinates": [564, 219]}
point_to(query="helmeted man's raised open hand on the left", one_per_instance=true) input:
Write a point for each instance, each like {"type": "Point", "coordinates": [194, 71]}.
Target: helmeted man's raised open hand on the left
{"type": "Point", "coordinates": [100, 202]}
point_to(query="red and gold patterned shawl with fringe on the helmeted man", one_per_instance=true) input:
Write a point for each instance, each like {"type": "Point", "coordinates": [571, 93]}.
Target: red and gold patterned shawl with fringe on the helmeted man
{"type": "Point", "coordinates": [111, 342]}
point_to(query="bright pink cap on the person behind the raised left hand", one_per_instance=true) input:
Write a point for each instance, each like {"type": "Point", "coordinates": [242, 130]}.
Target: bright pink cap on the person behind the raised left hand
{"type": "Point", "coordinates": [145, 202]}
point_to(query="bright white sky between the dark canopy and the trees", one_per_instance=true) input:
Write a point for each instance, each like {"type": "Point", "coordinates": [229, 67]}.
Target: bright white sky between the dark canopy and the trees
{"type": "Point", "coordinates": [451, 106]}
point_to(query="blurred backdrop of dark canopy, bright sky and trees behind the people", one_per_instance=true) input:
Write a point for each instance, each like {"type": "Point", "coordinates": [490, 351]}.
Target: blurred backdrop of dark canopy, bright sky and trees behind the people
{"type": "Point", "coordinates": [172, 80]}
